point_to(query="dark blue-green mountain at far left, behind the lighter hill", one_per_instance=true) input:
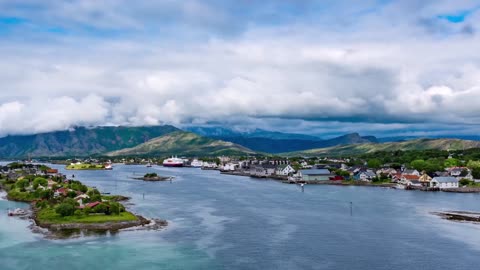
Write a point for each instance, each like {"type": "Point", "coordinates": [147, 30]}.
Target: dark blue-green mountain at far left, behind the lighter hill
{"type": "Point", "coordinates": [79, 142]}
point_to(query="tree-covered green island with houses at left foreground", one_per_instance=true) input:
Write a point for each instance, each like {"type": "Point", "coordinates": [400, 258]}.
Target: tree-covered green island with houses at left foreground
{"type": "Point", "coordinates": [60, 204]}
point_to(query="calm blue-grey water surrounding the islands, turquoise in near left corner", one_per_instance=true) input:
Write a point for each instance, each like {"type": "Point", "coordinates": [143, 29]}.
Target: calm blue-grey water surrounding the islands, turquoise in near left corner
{"type": "Point", "coordinates": [229, 222]}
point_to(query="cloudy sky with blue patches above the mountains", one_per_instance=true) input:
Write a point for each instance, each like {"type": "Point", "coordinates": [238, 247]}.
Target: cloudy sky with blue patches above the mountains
{"type": "Point", "coordinates": [377, 67]}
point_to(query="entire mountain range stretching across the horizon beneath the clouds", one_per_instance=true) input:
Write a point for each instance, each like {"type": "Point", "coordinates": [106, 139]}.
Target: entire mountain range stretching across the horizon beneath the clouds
{"type": "Point", "coordinates": [200, 141]}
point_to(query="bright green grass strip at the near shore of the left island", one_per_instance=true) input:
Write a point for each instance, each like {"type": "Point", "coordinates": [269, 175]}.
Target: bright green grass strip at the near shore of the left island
{"type": "Point", "coordinates": [50, 216]}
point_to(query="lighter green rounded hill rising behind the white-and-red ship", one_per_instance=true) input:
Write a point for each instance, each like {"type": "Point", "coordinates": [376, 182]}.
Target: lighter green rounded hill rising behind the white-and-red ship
{"type": "Point", "coordinates": [183, 144]}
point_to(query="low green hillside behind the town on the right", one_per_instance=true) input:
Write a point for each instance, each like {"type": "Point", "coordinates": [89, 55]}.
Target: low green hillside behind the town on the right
{"type": "Point", "coordinates": [418, 144]}
